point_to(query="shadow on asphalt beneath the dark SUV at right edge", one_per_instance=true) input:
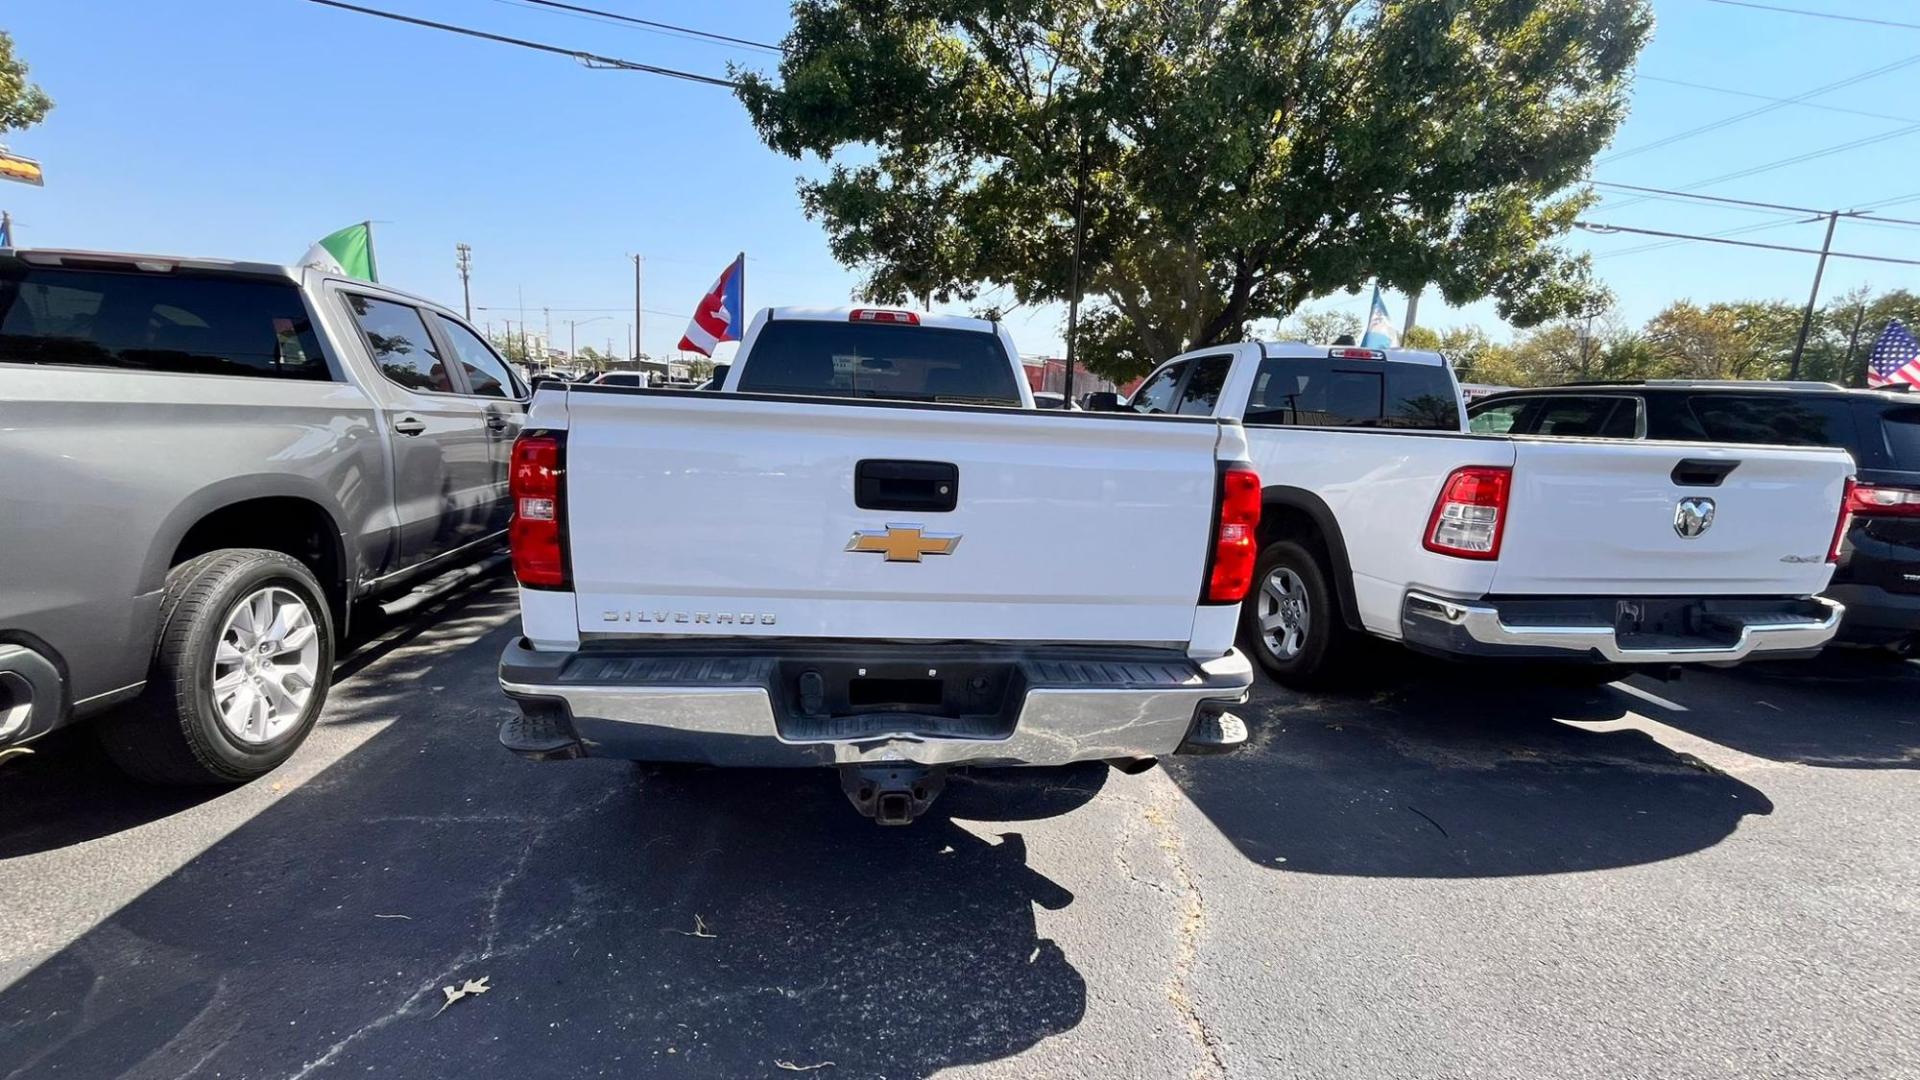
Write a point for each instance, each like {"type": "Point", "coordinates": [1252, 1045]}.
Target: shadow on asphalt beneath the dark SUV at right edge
{"type": "Point", "coordinates": [1842, 710]}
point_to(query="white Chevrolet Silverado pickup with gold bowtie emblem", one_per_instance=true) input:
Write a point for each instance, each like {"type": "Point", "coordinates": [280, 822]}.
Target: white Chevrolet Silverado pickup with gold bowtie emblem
{"type": "Point", "coordinates": [869, 551]}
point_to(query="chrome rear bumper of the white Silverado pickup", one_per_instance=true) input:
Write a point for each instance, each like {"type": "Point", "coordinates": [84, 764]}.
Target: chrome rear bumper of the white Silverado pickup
{"type": "Point", "coordinates": [738, 710]}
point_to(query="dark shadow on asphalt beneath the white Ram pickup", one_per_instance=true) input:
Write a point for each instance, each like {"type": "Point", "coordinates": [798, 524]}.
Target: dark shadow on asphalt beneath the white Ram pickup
{"type": "Point", "coordinates": [1456, 772]}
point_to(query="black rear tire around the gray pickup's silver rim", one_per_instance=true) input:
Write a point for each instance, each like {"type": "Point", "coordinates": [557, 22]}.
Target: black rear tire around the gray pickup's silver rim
{"type": "Point", "coordinates": [174, 733]}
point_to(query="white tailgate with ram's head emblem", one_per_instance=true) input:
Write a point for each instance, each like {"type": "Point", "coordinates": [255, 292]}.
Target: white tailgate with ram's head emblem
{"type": "Point", "coordinates": [1596, 518]}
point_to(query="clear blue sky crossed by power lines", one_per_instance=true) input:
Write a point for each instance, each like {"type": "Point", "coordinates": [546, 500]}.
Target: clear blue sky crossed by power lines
{"type": "Point", "coordinates": [252, 128]}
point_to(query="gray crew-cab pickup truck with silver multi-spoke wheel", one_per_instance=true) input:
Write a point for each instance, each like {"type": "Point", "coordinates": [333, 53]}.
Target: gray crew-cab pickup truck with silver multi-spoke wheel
{"type": "Point", "coordinates": [204, 470]}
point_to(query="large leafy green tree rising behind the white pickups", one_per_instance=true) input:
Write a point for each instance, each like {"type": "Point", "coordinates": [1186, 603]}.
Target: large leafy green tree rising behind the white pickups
{"type": "Point", "coordinates": [1236, 159]}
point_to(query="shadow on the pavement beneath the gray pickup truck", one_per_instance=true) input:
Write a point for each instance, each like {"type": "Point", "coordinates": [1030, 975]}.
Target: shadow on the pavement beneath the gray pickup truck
{"type": "Point", "coordinates": [78, 795]}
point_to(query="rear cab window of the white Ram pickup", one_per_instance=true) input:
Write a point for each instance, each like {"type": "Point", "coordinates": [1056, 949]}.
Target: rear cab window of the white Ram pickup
{"type": "Point", "coordinates": [1320, 393]}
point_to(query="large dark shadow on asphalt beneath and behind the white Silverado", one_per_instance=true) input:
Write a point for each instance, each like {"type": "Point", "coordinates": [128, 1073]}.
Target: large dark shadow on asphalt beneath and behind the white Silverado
{"type": "Point", "coordinates": [635, 921]}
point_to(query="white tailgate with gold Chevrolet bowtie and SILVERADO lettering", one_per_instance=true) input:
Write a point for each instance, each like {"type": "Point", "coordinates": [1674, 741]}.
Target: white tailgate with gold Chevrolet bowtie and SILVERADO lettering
{"type": "Point", "coordinates": [723, 514]}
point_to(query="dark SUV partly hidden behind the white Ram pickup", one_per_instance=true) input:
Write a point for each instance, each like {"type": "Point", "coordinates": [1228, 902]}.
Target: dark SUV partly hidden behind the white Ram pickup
{"type": "Point", "coordinates": [1879, 576]}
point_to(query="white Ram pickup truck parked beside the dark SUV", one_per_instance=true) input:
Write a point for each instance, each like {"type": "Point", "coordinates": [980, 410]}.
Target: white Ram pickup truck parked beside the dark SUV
{"type": "Point", "coordinates": [1381, 516]}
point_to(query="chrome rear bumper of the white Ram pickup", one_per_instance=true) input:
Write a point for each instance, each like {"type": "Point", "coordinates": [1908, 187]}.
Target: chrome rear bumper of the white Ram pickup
{"type": "Point", "coordinates": [1725, 631]}
